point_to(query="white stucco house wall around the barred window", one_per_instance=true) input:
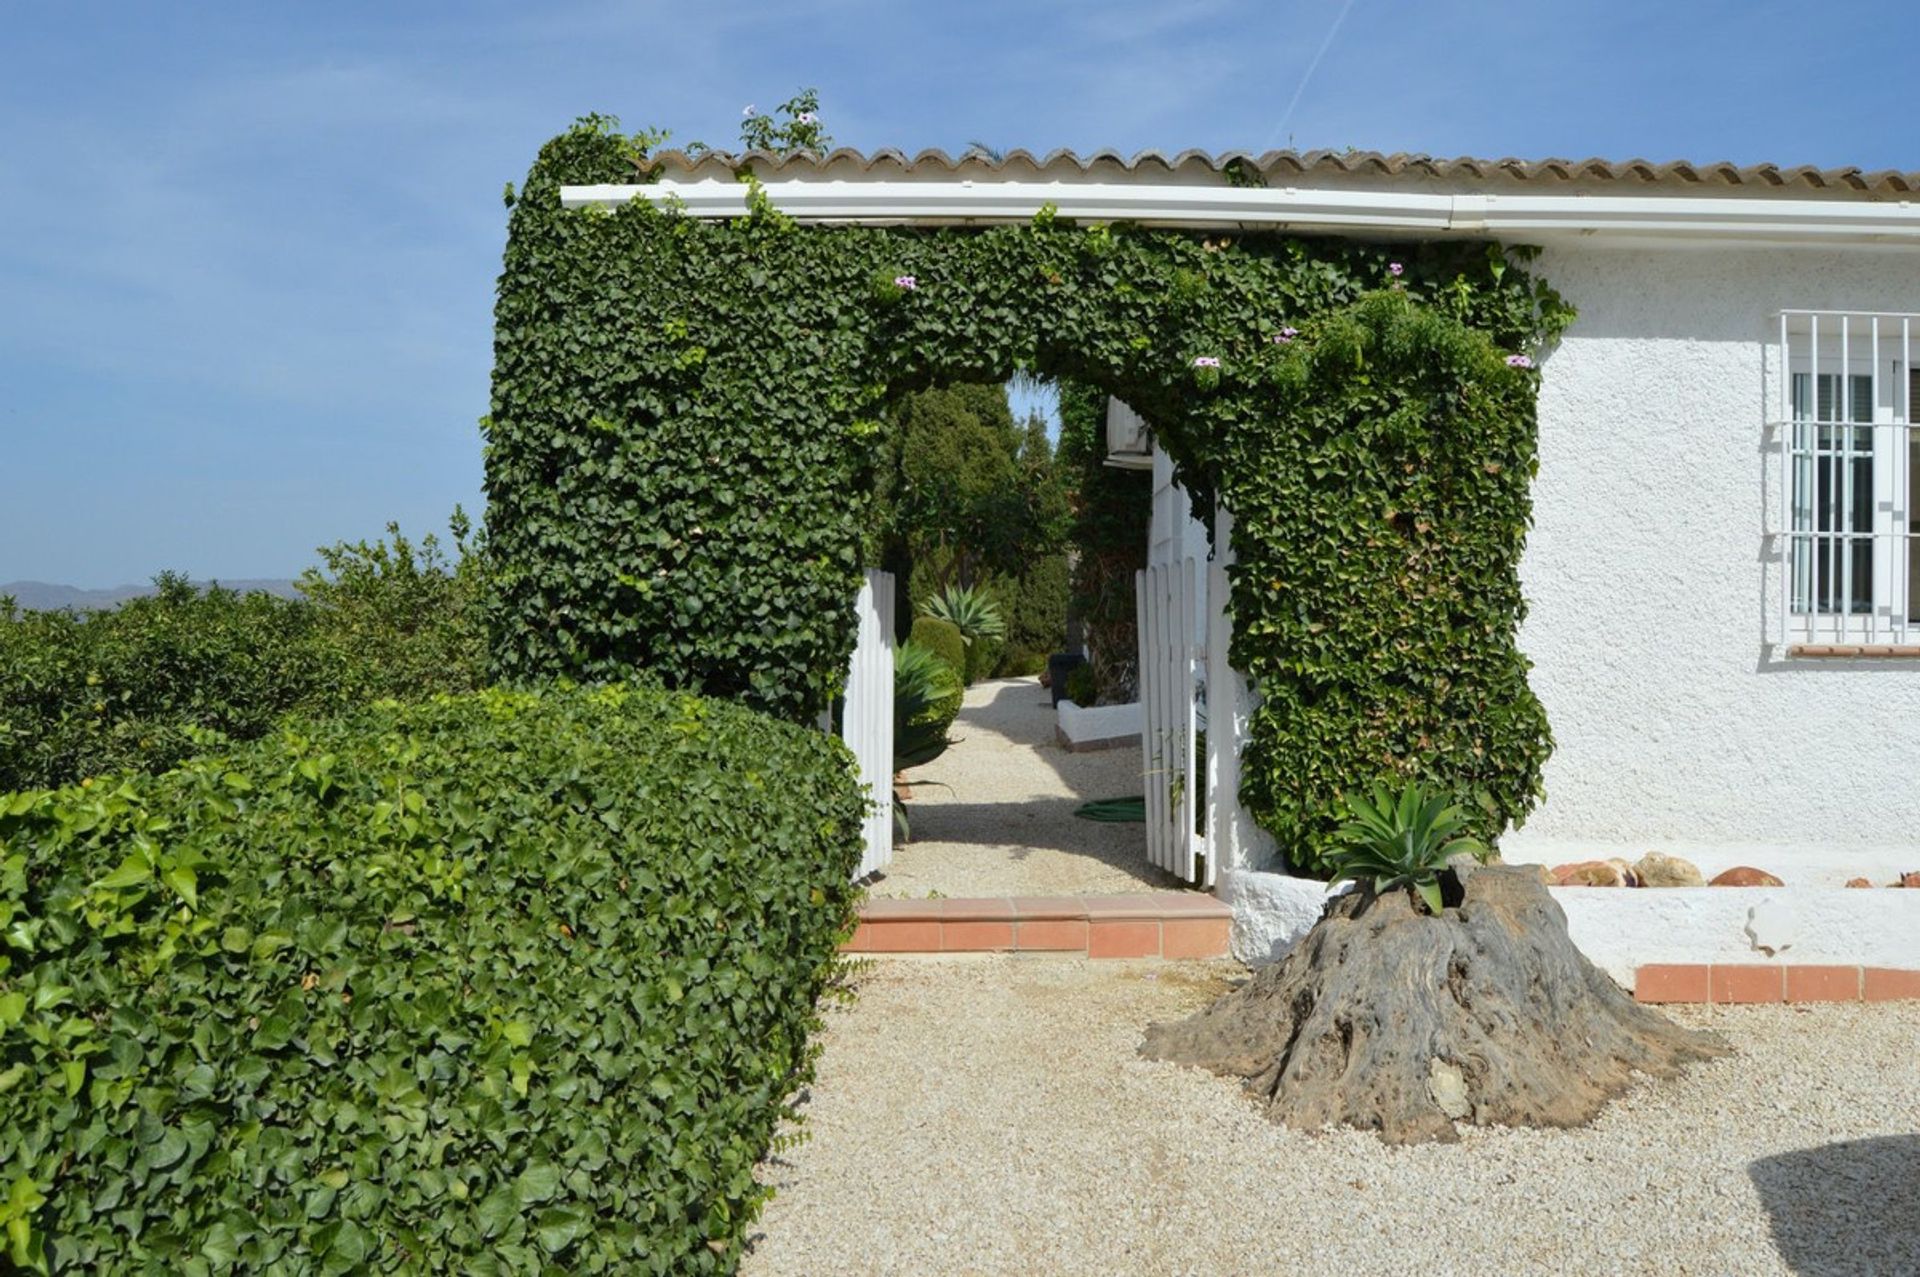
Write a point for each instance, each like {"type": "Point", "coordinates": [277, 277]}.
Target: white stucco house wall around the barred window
{"type": "Point", "coordinates": [1650, 583]}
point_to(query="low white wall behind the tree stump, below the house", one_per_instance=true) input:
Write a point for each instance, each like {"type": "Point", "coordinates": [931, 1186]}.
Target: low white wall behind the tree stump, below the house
{"type": "Point", "coordinates": [1625, 928]}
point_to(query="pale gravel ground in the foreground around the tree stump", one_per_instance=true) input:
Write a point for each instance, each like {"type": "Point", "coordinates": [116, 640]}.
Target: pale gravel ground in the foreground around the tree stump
{"type": "Point", "coordinates": [990, 1117]}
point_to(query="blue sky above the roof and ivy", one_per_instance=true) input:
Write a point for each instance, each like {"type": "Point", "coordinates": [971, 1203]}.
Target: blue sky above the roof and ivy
{"type": "Point", "coordinates": [249, 251]}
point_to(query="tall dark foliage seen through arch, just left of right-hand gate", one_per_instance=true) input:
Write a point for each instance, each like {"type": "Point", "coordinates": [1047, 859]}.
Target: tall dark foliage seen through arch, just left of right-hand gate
{"type": "Point", "coordinates": [1113, 510]}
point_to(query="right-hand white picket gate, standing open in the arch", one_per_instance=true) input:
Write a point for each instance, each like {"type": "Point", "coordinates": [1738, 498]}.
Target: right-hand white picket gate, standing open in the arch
{"type": "Point", "coordinates": [1166, 602]}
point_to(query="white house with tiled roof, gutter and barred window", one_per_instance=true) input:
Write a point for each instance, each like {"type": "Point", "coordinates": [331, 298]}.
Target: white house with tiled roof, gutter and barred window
{"type": "Point", "coordinates": [1725, 569]}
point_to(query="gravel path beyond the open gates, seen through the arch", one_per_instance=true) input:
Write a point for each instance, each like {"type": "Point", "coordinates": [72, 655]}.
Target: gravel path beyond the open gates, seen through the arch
{"type": "Point", "coordinates": [996, 813]}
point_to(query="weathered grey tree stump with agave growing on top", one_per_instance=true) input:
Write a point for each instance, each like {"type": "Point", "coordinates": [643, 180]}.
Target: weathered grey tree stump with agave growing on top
{"type": "Point", "coordinates": [1395, 1021]}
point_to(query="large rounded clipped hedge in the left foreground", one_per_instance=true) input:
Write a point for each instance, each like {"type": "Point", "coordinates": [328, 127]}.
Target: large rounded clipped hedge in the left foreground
{"type": "Point", "coordinates": [489, 984]}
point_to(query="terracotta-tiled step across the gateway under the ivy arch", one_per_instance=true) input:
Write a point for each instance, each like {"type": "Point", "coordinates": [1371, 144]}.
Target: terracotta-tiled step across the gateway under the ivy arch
{"type": "Point", "coordinates": [1151, 925]}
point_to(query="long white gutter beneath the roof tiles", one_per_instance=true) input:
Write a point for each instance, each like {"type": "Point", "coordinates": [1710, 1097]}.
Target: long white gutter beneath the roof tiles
{"type": "Point", "coordinates": [1491, 216]}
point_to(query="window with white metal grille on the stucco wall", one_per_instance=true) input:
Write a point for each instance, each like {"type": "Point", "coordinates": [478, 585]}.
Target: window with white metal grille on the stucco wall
{"type": "Point", "coordinates": [1848, 445]}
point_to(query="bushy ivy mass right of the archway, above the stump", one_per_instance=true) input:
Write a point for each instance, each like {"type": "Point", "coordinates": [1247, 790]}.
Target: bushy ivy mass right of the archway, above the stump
{"type": "Point", "coordinates": [1378, 587]}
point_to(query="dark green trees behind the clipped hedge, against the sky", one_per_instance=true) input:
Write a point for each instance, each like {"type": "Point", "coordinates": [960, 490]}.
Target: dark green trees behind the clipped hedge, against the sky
{"type": "Point", "coordinates": [128, 688]}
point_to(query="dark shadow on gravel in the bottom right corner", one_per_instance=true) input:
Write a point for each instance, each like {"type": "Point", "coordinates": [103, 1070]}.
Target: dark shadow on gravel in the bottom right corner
{"type": "Point", "coordinates": [1846, 1211]}
